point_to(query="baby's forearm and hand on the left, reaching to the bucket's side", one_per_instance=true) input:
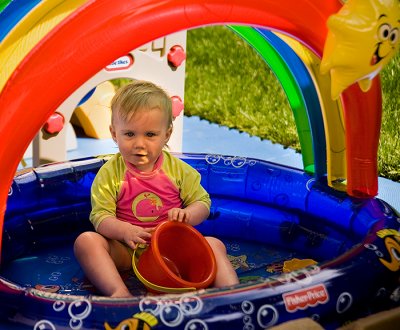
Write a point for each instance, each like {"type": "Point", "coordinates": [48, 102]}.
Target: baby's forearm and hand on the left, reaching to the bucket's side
{"type": "Point", "coordinates": [123, 231]}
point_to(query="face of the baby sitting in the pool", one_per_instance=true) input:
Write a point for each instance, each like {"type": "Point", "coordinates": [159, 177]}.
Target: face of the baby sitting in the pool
{"type": "Point", "coordinates": [142, 137]}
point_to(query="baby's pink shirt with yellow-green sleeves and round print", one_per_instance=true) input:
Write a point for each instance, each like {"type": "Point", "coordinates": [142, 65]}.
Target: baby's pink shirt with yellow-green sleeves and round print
{"type": "Point", "coordinates": [144, 198]}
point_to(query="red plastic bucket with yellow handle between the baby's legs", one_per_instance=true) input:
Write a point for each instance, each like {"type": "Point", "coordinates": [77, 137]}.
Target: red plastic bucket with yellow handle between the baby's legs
{"type": "Point", "coordinates": [178, 259]}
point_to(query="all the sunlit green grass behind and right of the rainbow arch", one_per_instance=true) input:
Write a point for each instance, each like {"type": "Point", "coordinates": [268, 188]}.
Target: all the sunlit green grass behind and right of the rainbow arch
{"type": "Point", "coordinates": [228, 83]}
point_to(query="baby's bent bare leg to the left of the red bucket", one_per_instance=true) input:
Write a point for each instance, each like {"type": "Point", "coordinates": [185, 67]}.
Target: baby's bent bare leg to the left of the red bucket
{"type": "Point", "coordinates": [101, 260]}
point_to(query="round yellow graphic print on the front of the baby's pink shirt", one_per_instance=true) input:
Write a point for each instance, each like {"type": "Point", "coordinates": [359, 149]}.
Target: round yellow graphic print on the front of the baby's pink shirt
{"type": "Point", "coordinates": [147, 207]}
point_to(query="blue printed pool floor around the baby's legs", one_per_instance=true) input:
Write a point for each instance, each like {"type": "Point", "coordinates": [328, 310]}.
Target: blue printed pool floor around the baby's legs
{"type": "Point", "coordinates": [57, 271]}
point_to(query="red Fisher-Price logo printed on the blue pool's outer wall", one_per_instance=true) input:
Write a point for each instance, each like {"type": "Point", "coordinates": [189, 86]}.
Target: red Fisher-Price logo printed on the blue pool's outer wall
{"type": "Point", "coordinates": [305, 298]}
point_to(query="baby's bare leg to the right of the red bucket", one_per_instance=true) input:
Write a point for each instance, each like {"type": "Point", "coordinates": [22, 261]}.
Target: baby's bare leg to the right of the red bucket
{"type": "Point", "coordinates": [226, 275]}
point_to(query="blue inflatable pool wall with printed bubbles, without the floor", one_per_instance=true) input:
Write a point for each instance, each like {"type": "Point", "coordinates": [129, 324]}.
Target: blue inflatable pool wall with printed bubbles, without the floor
{"type": "Point", "coordinates": [352, 240]}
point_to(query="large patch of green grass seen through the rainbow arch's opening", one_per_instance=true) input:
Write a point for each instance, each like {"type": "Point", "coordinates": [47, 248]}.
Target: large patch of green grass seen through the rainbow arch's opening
{"type": "Point", "coordinates": [229, 84]}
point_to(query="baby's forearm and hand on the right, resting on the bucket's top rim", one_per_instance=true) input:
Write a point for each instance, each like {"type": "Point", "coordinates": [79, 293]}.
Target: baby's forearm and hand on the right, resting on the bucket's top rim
{"type": "Point", "coordinates": [193, 214]}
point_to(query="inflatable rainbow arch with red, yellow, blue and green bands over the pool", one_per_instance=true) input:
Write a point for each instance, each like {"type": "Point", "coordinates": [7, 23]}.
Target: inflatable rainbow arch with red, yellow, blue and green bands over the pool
{"type": "Point", "coordinates": [64, 43]}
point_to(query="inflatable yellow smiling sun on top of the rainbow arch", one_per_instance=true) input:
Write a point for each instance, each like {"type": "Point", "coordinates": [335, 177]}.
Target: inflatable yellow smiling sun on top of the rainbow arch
{"type": "Point", "coordinates": [363, 36]}
